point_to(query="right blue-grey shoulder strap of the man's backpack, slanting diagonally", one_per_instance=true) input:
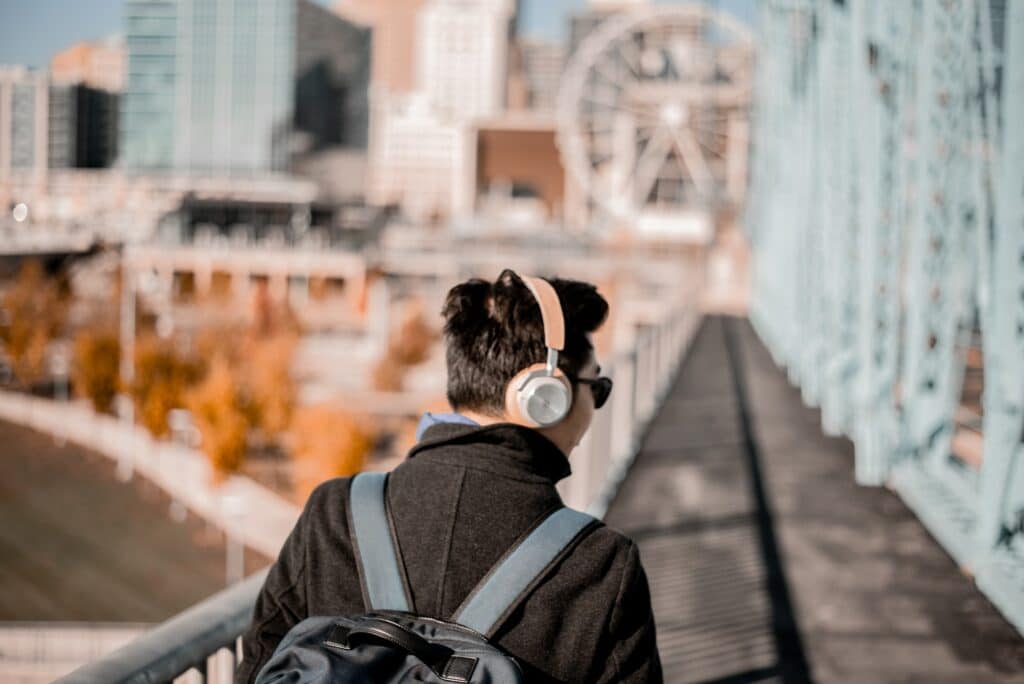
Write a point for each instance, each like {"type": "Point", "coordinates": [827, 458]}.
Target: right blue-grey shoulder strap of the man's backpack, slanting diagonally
{"type": "Point", "coordinates": [513, 578]}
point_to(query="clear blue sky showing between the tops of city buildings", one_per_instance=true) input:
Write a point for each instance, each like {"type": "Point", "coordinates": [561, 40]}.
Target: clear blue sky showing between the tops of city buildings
{"type": "Point", "coordinates": [31, 31]}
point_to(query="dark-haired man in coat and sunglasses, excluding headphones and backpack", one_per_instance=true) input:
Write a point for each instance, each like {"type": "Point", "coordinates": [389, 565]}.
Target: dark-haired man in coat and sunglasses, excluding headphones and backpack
{"type": "Point", "coordinates": [473, 487]}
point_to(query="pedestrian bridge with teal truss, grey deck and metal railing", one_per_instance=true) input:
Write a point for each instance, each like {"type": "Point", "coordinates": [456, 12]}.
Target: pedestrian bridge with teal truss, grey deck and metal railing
{"type": "Point", "coordinates": [836, 492]}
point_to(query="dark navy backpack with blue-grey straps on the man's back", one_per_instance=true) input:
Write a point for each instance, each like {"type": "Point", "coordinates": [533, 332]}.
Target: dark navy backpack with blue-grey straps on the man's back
{"type": "Point", "coordinates": [392, 644]}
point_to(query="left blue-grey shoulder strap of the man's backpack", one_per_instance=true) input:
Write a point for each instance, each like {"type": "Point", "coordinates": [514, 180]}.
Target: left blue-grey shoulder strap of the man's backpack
{"type": "Point", "coordinates": [376, 549]}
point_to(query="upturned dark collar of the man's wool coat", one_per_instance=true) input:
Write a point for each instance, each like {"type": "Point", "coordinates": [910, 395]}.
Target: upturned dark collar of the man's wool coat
{"type": "Point", "coordinates": [502, 448]}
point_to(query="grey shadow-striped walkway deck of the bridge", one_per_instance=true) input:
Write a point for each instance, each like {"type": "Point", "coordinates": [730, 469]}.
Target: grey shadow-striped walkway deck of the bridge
{"type": "Point", "coordinates": [767, 563]}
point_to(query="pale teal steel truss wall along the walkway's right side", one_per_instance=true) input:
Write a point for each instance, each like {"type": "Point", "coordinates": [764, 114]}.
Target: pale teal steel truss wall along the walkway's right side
{"type": "Point", "coordinates": [886, 219]}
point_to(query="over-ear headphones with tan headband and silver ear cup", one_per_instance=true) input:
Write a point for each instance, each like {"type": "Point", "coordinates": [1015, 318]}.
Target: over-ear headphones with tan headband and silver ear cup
{"type": "Point", "coordinates": [541, 396]}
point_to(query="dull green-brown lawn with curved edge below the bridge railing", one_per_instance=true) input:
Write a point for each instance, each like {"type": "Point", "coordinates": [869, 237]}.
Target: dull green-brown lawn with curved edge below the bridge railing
{"type": "Point", "coordinates": [77, 545]}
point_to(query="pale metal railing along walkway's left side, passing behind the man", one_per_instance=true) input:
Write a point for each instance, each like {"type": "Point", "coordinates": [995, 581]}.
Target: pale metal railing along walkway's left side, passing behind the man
{"type": "Point", "coordinates": [197, 642]}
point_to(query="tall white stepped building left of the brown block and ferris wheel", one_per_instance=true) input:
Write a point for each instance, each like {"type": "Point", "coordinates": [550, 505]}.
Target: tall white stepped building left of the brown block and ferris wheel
{"type": "Point", "coordinates": [422, 150]}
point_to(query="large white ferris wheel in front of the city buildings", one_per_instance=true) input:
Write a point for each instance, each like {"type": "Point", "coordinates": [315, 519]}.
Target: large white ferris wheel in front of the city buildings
{"type": "Point", "coordinates": [648, 107]}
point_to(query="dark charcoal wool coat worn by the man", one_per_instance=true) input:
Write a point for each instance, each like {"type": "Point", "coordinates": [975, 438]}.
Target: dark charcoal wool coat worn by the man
{"type": "Point", "coordinates": [463, 497]}
